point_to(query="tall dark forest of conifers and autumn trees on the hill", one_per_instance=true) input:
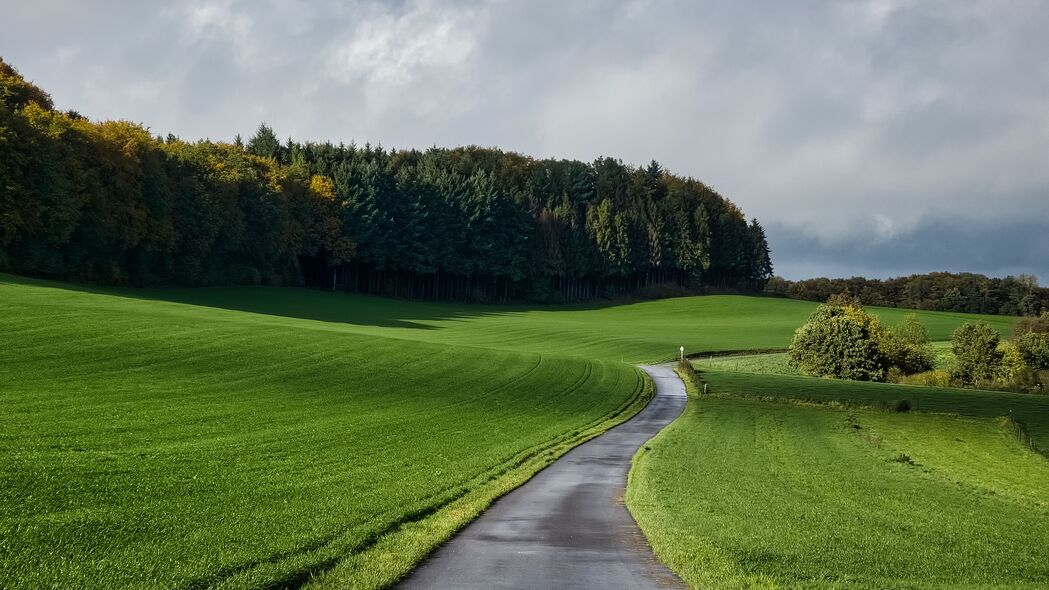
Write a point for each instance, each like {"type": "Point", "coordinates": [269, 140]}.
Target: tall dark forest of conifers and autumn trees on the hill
{"type": "Point", "coordinates": [110, 203]}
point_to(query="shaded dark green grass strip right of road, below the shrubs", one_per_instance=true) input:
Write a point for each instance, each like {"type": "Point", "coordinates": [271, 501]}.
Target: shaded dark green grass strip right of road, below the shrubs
{"type": "Point", "coordinates": [1031, 411]}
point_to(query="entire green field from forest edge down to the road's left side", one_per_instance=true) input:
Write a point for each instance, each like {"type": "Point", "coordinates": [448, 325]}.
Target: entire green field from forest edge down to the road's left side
{"type": "Point", "coordinates": [249, 437]}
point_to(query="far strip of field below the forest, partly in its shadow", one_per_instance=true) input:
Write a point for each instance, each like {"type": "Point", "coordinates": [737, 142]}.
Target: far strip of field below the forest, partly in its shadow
{"type": "Point", "coordinates": [641, 332]}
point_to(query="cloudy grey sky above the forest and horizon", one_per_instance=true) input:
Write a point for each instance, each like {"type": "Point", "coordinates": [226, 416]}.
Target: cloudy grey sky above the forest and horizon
{"type": "Point", "coordinates": [877, 138]}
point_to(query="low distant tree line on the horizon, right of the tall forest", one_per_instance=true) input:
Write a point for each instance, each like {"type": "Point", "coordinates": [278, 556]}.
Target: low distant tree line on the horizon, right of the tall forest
{"type": "Point", "coordinates": [948, 292]}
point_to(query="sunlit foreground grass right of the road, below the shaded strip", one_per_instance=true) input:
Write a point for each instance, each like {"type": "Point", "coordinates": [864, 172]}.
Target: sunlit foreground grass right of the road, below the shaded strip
{"type": "Point", "coordinates": [745, 494]}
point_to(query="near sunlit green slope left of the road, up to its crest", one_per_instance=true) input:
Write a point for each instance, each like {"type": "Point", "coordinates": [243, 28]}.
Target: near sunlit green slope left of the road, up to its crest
{"type": "Point", "coordinates": [153, 445]}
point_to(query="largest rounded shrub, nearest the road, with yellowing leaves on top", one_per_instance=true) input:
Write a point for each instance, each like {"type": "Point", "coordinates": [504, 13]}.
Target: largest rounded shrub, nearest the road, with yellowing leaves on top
{"type": "Point", "coordinates": [841, 342]}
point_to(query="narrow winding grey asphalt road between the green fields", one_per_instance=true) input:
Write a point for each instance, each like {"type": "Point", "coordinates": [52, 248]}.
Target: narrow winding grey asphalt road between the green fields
{"type": "Point", "coordinates": [567, 529]}
